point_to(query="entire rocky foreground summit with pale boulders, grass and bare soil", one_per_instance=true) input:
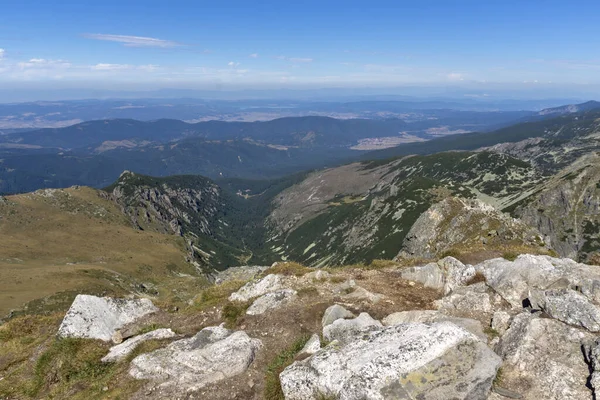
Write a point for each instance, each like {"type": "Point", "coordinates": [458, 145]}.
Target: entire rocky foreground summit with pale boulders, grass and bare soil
{"type": "Point", "coordinates": [501, 329]}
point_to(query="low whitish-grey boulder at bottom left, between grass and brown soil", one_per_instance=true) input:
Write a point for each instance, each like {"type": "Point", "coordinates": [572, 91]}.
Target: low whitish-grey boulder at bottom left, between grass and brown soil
{"type": "Point", "coordinates": [213, 354]}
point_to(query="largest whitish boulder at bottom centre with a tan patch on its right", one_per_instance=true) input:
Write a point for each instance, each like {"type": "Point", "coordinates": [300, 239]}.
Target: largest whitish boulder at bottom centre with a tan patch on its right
{"type": "Point", "coordinates": [408, 361]}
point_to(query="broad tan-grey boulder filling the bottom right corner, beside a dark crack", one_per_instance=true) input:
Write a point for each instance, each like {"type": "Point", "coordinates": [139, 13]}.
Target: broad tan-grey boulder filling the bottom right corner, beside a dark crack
{"type": "Point", "coordinates": [543, 359]}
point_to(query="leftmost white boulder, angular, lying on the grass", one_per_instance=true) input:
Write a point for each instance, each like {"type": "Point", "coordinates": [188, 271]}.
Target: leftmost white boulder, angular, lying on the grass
{"type": "Point", "coordinates": [92, 317]}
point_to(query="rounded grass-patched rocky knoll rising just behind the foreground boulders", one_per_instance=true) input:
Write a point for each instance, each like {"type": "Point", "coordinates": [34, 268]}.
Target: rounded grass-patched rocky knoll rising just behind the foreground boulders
{"type": "Point", "coordinates": [464, 224]}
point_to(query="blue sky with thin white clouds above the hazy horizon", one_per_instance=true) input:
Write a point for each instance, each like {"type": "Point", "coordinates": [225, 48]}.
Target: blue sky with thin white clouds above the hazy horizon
{"type": "Point", "coordinates": [254, 44]}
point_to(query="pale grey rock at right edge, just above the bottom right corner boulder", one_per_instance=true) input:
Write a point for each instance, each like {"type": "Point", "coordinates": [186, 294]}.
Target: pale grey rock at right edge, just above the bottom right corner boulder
{"type": "Point", "coordinates": [568, 306]}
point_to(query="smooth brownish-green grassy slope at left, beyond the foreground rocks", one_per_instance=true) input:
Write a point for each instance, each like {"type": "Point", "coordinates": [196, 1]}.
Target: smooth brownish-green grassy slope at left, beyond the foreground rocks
{"type": "Point", "coordinates": [76, 241]}
